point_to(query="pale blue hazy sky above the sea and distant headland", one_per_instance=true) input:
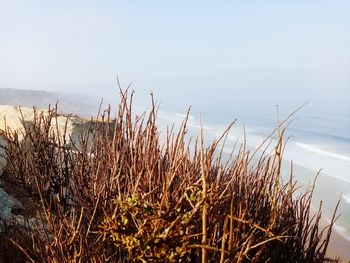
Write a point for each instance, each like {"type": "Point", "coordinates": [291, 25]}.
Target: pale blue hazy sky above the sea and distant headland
{"type": "Point", "coordinates": [214, 55]}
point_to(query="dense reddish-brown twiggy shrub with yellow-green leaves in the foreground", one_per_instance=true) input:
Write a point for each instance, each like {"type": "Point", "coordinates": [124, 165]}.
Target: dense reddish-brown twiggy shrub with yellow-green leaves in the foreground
{"type": "Point", "coordinates": [120, 195]}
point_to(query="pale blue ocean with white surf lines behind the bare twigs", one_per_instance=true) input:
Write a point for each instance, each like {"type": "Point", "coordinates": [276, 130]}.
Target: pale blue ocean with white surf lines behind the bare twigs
{"type": "Point", "coordinates": [317, 144]}
